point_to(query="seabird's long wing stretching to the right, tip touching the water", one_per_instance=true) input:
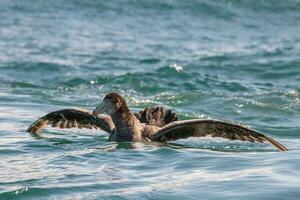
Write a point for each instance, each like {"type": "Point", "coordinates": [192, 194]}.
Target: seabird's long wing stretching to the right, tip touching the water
{"type": "Point", "coordinates": [214, 128]}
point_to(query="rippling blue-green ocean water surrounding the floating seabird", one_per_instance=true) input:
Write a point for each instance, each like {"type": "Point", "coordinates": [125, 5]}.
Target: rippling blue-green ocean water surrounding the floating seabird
{"type": "Point", "coordinates": [235, 60]}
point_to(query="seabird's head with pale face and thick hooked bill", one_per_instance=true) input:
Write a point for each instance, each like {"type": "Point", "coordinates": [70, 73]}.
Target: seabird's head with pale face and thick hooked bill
{"type": "Point", "coordinates": [111, 104]}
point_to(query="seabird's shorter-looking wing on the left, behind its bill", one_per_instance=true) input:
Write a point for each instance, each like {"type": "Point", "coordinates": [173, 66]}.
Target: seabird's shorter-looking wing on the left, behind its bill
{"type": "Point", "coordinates": [69, 118]}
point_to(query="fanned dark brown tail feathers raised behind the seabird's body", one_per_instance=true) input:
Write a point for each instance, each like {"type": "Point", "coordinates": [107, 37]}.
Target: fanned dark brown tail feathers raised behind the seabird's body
{"type": "Point", "coordinates": [156, 116]}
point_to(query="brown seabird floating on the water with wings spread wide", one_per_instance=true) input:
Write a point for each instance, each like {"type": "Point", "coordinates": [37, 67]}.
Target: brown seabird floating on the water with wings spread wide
{"type": "Point", "coordinates": [150, 124]}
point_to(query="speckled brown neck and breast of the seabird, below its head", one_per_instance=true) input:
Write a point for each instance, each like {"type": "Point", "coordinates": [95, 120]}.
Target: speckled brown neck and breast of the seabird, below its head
{"type": "Point", "coordinates": [127, 127]}
